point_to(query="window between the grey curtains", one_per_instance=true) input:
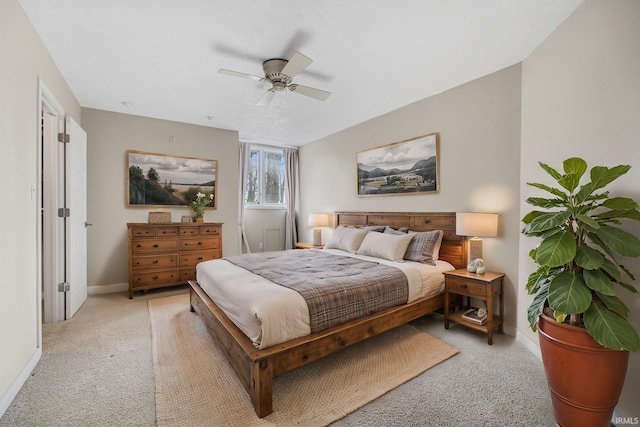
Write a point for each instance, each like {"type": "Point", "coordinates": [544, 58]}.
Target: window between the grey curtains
{"type": "Point", "coordinates": [265, 178]}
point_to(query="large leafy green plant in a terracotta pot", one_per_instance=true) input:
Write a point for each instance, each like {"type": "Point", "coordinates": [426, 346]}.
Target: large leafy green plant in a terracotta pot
{"type": "Point", "coordinates": [582, 323]}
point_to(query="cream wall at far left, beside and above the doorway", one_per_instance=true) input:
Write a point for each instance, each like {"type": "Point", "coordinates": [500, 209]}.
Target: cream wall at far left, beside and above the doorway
{"type": "Point", "coordinates": [24, 60]}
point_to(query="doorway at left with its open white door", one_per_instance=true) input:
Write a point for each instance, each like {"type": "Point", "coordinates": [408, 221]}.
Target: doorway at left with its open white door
{"type": "Point", "coordinates": [62, 286]}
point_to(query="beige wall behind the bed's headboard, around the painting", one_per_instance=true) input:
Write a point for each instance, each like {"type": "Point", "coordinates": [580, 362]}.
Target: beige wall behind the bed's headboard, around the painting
{"type": "Point", "coordinates": [479, 126]}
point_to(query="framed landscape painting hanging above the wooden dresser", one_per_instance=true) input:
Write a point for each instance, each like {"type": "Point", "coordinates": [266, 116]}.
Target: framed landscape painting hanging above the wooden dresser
{"type": "Point", "coordinates": [164, 180]}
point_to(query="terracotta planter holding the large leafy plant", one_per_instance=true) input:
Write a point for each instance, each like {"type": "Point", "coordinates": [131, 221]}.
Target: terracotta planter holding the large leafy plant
{"type": "Point", "coordinates": [585, 379]}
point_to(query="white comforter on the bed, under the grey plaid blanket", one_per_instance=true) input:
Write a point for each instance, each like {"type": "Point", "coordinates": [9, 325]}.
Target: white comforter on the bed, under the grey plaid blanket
{"type": "Point", "coordinates": [270, 314]}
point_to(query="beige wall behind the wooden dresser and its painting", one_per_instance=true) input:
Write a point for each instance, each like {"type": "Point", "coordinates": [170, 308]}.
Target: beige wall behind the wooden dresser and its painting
{"type": "Point", "coordinates": [109, 136]}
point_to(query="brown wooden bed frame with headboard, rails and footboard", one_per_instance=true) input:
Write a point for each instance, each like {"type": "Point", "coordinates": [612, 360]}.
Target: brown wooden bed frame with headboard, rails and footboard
{"type": "Point", "coordinates": [257, 369]}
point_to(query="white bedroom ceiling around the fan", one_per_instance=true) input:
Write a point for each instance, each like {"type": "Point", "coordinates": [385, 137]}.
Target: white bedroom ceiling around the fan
{"type": "Point", "coordinates": [161, 57]}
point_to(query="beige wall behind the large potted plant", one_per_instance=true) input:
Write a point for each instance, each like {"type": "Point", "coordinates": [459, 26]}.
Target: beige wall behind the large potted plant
{"type": "Point", "coordinates": [581, 97]}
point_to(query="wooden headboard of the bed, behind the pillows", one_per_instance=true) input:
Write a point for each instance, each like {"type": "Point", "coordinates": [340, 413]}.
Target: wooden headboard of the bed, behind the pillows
{"type": "Point", "coordinates": [453, 249]}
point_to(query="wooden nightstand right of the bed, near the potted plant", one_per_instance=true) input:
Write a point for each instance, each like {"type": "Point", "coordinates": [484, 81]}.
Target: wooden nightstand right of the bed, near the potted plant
{"type": "Point", "coordinates": [484, 287]}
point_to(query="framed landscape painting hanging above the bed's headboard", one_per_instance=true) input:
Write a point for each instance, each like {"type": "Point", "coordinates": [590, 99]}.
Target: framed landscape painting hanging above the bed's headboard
{"type": "Point", "coordinates": [406, 167]}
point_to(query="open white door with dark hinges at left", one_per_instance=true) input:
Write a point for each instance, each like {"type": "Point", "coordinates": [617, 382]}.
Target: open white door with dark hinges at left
{"type": "Point", "coordinates": [76, 224]}
